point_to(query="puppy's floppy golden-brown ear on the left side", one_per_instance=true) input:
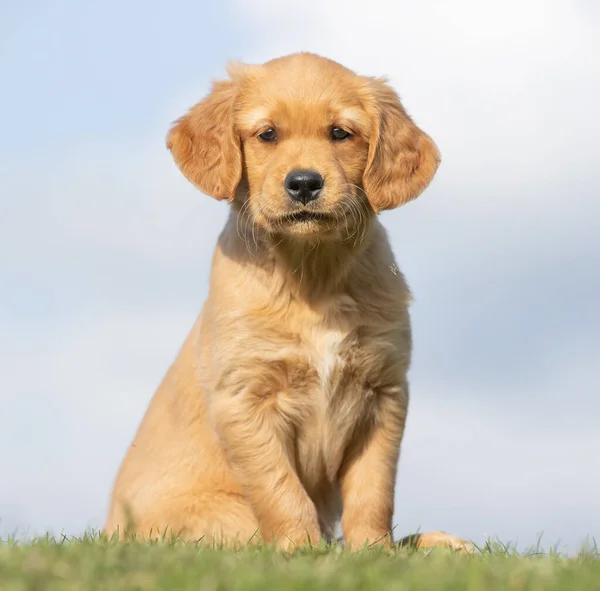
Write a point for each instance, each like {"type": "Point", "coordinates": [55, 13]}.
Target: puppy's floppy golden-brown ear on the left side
{"type": "Point", "coordinates": [205, 146]}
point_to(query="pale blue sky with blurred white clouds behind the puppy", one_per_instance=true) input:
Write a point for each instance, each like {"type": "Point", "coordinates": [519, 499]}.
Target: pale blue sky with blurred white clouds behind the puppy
{"type": "Point", "coordinates": [105, 247]}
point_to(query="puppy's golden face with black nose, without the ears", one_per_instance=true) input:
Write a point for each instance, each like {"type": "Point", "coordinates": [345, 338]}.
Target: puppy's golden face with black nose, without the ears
{"type": "Point", "coordinates": [305, 140]}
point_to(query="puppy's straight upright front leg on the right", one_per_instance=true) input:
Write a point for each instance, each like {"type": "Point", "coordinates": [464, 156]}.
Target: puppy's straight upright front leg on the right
{"type": "Point", "coordinates": [368, 475]}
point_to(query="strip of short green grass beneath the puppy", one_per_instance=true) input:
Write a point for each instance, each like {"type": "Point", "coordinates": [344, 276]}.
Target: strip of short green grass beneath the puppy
{"type": "Point", "coordinates": [94, 562]}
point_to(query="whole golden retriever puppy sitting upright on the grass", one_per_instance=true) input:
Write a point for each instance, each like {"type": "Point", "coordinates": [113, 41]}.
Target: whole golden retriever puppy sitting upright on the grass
{"type": "Point", "coordinates": [286, 405]}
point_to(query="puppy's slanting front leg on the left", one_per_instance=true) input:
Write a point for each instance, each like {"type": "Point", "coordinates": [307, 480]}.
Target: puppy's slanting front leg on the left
{"type": "Point", "coordinates": [258, 441]}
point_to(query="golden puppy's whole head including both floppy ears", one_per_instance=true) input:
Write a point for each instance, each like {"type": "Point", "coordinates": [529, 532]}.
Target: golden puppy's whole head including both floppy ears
{"type": "Point", "coordinates": [320, 148]}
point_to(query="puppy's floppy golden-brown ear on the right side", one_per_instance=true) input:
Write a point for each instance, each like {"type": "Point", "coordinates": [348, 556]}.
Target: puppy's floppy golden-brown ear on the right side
{"type": "Point", "coordinates": [402, 159]}
